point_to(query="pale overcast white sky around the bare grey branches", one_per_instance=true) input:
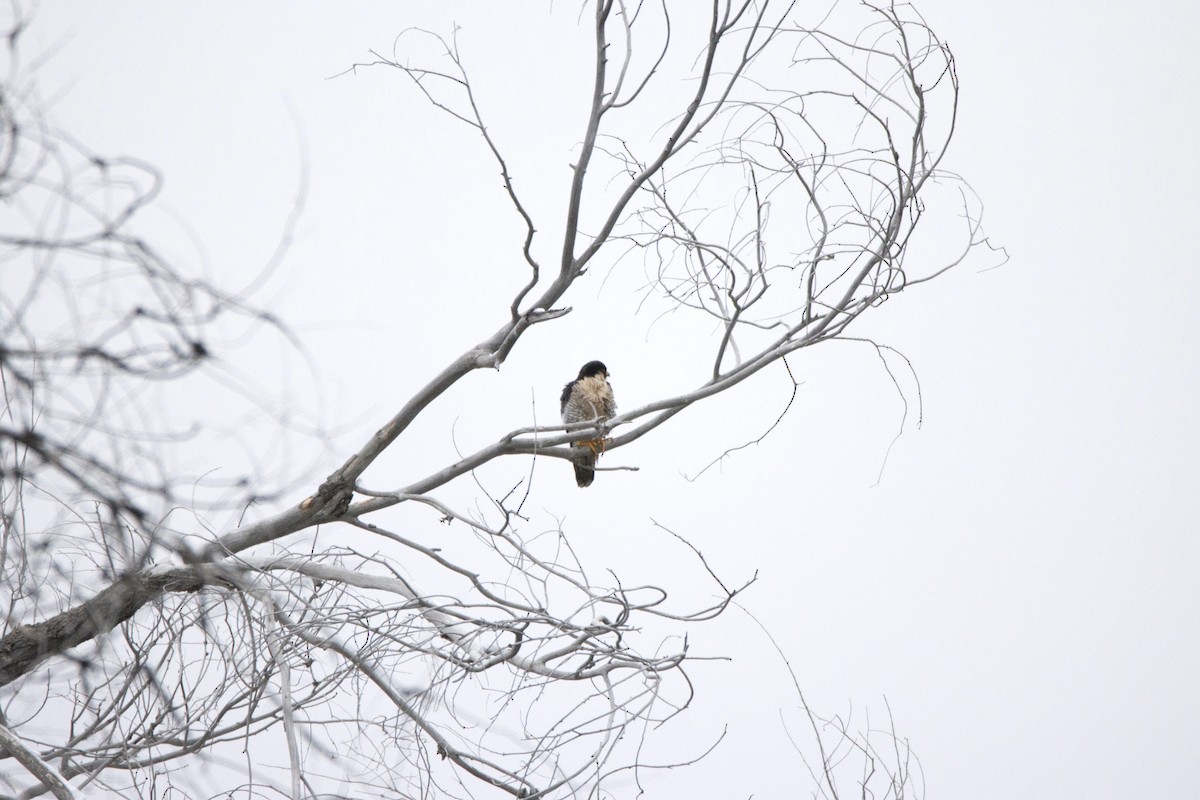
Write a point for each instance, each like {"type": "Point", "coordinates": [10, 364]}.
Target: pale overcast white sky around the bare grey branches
{"type": "Point", "coordinates": [1023, 582]}
